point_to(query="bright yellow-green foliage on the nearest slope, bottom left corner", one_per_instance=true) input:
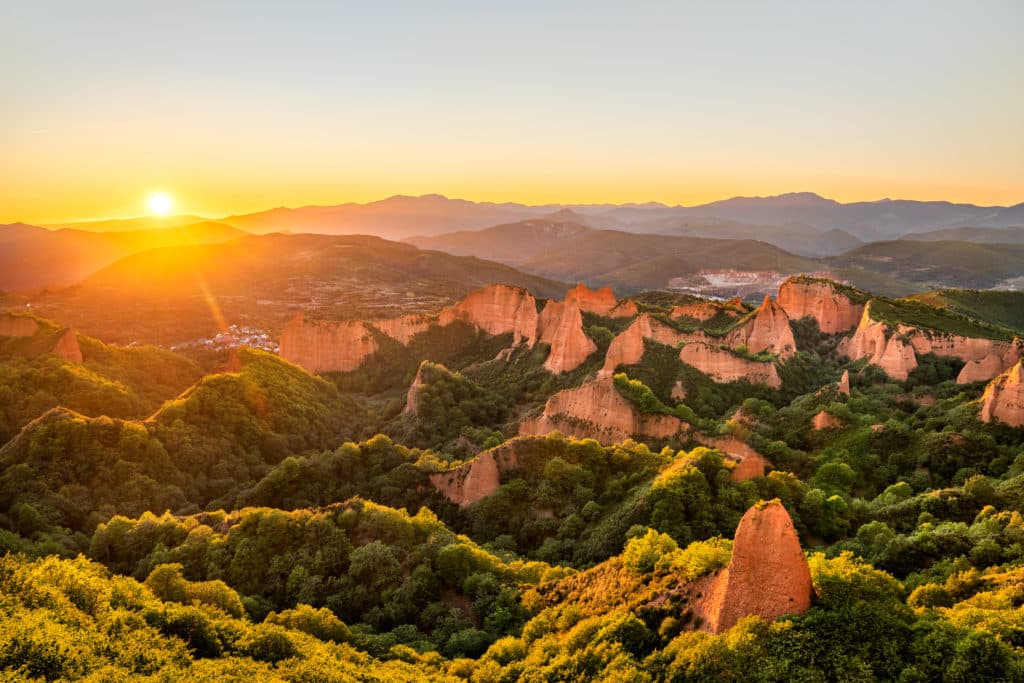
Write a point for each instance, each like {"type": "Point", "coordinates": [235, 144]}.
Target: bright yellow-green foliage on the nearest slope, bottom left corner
{"type": "Point", "coordinates": [70, 620]}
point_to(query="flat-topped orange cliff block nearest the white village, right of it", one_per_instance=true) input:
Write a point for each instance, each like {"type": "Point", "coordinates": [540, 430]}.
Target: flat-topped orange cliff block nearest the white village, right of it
{"type": "Point", "coordinates": [326, 347]}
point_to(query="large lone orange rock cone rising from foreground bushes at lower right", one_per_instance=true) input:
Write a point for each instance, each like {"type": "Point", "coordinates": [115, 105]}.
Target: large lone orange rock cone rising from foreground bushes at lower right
{"type": "Point", "coordinates": [767, 576]}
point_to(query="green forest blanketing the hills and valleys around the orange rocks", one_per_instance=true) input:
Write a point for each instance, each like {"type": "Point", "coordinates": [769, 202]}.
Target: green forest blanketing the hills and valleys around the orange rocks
{"type": "Point", "coordinates": [170, 518]}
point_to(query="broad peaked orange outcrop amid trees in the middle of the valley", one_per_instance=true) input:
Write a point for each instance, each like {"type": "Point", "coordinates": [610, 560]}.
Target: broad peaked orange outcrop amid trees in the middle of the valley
{"type": "Point", "coordinates": [598, 410]}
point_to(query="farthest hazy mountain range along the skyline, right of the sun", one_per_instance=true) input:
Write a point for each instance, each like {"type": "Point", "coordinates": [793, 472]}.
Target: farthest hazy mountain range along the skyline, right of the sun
{"type": "Point", "coordinates": [799, 215]}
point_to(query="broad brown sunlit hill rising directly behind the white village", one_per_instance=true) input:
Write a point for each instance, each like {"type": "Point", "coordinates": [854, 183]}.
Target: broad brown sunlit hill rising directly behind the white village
{"type": "Point", "coordinates": [177, 294]}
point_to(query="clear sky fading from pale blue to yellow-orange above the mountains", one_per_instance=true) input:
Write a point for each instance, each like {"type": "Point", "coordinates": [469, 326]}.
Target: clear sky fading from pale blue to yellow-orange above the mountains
{"type": "Point", "coordinates": [238, 107]}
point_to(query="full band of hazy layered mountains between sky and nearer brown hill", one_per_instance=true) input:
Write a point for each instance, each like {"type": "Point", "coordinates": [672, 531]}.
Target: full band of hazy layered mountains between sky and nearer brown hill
{"type": "Point", "coordinates": [878, 245]}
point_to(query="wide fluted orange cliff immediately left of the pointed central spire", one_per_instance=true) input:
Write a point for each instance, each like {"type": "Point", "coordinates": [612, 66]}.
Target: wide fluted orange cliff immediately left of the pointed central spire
{"type": "Point", "coordinates": [498, 310]}
